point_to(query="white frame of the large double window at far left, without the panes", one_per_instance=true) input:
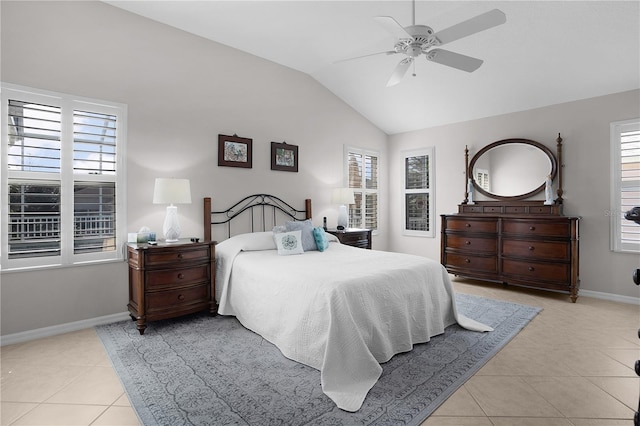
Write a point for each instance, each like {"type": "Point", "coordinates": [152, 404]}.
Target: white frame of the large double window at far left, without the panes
{"type": "Point", "coordinates": [66, 177]}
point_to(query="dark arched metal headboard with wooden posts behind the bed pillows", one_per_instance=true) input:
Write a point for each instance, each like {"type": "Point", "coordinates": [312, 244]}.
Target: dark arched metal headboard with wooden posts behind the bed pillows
{"type": "Point", "coordinates": [262, 202]}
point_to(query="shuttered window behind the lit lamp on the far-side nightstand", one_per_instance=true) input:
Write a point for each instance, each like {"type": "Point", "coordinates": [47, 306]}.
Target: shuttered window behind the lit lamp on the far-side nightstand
{"type": "Point", "coordinates": [362, 170]}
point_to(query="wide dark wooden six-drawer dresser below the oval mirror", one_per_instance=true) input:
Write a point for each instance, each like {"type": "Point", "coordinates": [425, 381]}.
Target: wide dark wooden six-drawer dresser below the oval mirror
{"type": "Point", "coordinates": [538, 251]}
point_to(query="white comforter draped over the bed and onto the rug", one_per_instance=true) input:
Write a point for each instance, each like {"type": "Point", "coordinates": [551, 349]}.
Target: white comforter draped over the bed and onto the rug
{"type": "Point", "coordinates": [342, 311]}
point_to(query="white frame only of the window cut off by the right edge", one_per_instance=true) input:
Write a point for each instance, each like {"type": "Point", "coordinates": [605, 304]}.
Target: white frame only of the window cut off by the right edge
{"type": "Point", "coordinates": [617, 184]}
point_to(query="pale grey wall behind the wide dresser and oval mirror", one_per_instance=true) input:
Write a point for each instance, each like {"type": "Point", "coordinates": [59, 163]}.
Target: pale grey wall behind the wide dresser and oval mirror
{"type": "Point", "coordinates": [584, 126]}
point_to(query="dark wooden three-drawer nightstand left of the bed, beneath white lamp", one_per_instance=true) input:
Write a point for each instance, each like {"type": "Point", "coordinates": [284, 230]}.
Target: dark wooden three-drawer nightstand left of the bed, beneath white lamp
{"type": "Point", "coordinates": [170, 279]}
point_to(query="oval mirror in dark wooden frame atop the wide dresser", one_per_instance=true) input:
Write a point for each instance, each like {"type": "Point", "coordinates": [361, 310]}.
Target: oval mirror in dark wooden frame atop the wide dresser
{"type": "Point", "coordinates": [512, 169]}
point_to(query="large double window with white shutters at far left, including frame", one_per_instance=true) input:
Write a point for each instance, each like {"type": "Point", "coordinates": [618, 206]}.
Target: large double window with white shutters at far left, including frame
{"type": "Point", "coordinates": [63, 185]}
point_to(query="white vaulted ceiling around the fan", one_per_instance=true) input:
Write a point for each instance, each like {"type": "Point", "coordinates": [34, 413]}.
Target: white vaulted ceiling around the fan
{"type": "Point", "coordinates": [548, 52]}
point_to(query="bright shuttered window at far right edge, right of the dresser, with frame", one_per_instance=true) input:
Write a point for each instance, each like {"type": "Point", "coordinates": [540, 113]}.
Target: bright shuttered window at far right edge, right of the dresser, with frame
{"type": "Point", "coordinates": [625, 184]}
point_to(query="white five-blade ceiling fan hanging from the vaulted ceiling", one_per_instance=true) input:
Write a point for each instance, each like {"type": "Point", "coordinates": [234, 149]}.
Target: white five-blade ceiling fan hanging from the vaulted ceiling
{"type": "Point", "coordinates": [415, 40]}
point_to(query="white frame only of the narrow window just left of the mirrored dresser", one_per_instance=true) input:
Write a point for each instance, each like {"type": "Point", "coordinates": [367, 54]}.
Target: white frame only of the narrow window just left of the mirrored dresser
{"type": "Point", "coordinates": [420, 152]}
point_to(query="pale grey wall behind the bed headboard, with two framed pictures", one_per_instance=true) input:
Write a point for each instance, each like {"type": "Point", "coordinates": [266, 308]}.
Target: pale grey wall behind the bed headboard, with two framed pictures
{"type": "Point", "coordinates": [181, 91]}
